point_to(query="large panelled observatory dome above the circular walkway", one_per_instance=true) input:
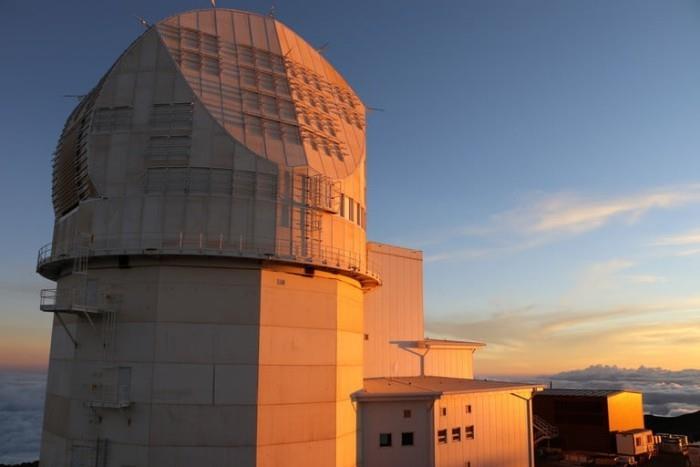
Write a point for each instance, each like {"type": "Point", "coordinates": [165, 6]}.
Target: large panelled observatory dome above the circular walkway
{"type": "Point", "coordinates": [216, 132]}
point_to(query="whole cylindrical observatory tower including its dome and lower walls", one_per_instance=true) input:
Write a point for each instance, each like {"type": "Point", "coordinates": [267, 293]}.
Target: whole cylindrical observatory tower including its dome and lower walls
{"type": "Point", "coordinates": [210, 255]}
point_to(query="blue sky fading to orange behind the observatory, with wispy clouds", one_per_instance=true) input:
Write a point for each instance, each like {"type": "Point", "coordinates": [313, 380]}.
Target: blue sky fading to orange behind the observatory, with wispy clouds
{"type": "Point", "coordinates": [544, 155]}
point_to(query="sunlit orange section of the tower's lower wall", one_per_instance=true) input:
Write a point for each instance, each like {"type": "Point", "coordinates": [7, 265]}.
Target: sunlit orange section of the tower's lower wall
{"type": "Point", "coordinates": [310, 363]}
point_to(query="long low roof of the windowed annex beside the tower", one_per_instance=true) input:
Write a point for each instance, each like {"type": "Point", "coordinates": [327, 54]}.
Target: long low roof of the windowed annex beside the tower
{"type": "Point", "coordinates": [430, 387]}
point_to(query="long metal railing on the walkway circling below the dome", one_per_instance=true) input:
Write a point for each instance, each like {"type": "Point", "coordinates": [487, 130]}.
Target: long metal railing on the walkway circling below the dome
{"type": "Point", "coordinates": [281, 250]}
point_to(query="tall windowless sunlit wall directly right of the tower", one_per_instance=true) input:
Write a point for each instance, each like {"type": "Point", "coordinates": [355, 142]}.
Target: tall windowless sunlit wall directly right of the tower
{"type": "Point", "coordinates": [394, 311]}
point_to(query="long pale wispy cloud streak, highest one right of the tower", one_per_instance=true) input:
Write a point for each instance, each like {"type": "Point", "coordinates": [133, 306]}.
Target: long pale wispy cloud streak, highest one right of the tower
{"type": "Point", "coordinates": [541, 219]}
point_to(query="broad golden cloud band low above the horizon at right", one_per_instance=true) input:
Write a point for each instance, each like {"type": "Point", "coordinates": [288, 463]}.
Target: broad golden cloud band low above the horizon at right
{"type": "Point", "coordinates": [549, 337]}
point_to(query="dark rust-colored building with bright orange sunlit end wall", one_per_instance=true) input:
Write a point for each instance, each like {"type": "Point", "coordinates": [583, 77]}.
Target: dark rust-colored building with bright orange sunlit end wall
{"type": "Point", "coordinates": [588, 419]}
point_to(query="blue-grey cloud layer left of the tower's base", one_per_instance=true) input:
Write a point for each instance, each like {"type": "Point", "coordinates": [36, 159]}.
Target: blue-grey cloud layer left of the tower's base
{"type": "Point", "coordinates": [21, 408]}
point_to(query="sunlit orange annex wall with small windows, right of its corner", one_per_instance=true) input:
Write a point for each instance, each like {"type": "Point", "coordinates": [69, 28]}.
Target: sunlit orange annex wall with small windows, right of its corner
{"type": "Point", "coordinates": [501, 430]}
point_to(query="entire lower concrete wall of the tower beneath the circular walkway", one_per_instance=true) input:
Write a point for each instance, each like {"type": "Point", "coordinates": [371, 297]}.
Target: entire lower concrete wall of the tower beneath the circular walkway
{"type": "Point", "coordinates": [230, 364]}
